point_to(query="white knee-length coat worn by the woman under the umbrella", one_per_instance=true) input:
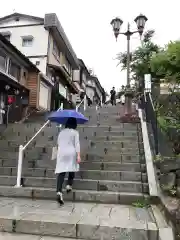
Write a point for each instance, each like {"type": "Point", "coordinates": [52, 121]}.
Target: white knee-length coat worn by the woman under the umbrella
{"type": "Point", "coordinates": [68, 147]}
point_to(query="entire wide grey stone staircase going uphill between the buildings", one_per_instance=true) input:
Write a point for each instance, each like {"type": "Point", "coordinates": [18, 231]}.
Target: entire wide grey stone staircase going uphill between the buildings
{"type": "Point", "coordinates": [112, 179]}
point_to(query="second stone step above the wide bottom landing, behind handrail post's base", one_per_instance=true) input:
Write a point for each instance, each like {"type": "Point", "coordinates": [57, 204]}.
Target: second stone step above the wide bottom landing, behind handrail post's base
{"type": "Point", "coordinates": [80, 184]}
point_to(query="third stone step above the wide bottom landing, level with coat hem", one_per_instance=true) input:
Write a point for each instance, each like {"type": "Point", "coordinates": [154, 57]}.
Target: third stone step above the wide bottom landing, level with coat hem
{"type": "Point", "coordinates": [83, 174]}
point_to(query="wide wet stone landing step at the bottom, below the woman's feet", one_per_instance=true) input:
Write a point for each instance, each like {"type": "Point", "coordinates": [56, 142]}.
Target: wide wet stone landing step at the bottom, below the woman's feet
{"type": "Point", "coordinates": [77, 220]}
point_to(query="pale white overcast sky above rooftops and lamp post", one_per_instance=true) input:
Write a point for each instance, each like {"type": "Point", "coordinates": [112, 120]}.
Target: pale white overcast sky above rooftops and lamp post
{"type": "Point", "coordinates": [87, 25]}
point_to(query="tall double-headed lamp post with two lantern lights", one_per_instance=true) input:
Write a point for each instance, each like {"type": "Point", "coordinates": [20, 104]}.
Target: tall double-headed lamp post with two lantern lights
{"type": "Point", "coordinates": [116, 24]}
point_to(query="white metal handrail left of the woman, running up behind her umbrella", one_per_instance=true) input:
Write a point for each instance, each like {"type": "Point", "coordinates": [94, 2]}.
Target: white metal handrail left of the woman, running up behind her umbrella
{"type": "Point", "coordinates": [22, 148]}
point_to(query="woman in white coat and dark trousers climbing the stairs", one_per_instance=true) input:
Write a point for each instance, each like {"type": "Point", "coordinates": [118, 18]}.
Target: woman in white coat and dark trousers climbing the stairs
{"type": "Point", "coordinates": [68, 156]}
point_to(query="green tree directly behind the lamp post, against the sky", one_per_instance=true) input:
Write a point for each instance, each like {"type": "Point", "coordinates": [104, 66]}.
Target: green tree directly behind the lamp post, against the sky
{"type": "Point", "coordinates": [141, 57]}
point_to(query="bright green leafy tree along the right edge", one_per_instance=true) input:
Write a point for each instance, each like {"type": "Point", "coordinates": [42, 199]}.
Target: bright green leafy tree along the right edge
{"type": "Point", "coordinates": [166, 65]}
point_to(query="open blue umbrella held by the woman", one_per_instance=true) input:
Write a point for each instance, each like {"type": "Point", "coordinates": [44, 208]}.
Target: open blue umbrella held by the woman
{"type": "Point", "coordinates": [62, 116]}
